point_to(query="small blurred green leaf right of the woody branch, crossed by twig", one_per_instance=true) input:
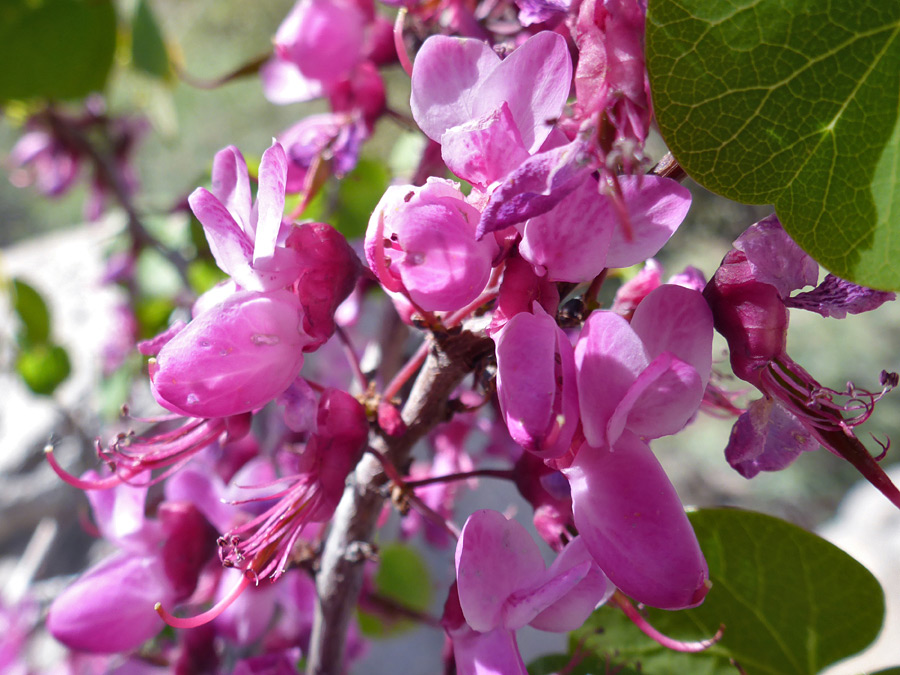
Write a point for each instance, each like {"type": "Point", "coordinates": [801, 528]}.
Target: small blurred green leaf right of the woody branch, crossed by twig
{"type": "Point", "coordinates": [403, 579]}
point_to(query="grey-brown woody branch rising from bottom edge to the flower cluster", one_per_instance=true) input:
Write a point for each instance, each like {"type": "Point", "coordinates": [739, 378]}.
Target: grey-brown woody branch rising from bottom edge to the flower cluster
{"type": "Point", "coordinates": [340, 577]}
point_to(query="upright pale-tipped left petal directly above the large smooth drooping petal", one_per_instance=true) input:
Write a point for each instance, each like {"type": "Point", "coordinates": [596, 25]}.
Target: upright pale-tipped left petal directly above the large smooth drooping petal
{"type": "Point", "coordinates": [609, 356]}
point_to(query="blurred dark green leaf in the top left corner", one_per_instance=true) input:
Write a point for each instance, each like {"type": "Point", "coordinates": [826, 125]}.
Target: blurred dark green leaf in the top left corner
{"type": "Point", "coordinates": [55, 49]}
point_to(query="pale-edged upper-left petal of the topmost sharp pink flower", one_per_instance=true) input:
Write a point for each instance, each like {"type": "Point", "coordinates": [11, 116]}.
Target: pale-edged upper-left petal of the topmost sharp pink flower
{"type": "Point", "coordinates": [445, 75]}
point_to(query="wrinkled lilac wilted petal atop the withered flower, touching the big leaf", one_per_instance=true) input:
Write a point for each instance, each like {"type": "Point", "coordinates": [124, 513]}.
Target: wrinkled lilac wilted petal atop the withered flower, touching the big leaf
{"type": "Point", "coordinates": [775, 258]}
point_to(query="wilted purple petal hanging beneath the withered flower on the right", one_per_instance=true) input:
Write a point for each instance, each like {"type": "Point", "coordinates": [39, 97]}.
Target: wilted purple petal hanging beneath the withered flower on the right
{"type": "Point", "coordinates": [767, 437]}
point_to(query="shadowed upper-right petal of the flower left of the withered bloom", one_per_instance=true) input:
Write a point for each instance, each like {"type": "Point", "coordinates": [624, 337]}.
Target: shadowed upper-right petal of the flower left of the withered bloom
{"type": "Point", "coordinates": [676, 319]}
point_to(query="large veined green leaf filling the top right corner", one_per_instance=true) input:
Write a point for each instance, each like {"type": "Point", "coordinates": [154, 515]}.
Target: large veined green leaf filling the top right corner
{"type": "Point", "coordinates": [794, 103]}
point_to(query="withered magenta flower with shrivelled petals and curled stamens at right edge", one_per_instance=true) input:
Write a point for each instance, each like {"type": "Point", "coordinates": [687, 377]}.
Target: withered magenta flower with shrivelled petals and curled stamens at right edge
{"type": "Point", "coordinates": [749, 296]}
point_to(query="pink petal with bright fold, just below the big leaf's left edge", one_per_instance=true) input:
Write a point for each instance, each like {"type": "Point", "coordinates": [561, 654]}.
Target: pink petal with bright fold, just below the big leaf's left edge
{"type": "Point", "coordinates": [656, 207]}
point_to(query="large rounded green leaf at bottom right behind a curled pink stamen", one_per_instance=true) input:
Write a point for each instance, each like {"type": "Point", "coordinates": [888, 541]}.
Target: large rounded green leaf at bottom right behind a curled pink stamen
{"type": "Point", "coordinates": [790, 602]}
